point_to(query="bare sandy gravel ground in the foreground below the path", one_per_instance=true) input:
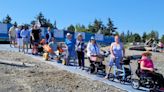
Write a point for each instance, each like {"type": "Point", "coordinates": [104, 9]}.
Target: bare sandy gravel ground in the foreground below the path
{"type": "Point", "coordinates": [43, 77]}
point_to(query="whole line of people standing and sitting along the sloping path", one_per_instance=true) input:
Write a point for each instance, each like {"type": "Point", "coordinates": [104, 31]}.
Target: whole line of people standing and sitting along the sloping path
{"type": "Point", "coordinates": [76, 49]}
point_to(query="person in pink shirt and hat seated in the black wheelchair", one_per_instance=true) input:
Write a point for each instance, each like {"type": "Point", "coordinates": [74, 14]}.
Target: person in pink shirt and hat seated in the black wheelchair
{"type": "Point", "coordinates": [147, 69]}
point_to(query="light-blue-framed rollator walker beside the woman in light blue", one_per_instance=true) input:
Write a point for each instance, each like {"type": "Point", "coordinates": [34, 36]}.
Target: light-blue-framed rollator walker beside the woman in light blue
{"type": "Point", "coordinates": [124, 74]}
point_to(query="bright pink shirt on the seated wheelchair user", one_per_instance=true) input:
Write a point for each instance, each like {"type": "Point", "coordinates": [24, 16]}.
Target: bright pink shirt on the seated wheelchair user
{"type": "Point", "coordinates": [147, 62]}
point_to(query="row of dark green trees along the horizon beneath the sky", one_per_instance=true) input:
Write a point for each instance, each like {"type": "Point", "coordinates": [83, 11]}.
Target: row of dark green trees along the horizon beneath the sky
{"type": "Point", "coordinates": [96, 27]}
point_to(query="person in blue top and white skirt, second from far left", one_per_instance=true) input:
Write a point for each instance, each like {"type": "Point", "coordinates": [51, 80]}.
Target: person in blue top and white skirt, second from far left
{"type": "Point", "coordinates": [18, 37]}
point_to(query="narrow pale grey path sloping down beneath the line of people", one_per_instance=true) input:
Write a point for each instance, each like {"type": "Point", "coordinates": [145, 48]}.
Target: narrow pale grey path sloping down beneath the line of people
{"type": "Point", "coordinates": [76, 71]}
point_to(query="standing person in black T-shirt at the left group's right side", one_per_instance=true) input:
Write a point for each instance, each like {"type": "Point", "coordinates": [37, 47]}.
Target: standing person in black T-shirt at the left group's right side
{"type": "Point", "coordinates": [36, 35]}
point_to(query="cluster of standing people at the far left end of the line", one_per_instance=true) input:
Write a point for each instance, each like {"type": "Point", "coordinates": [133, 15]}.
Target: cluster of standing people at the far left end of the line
{"type": "Point", "coordinates": [26, 37]}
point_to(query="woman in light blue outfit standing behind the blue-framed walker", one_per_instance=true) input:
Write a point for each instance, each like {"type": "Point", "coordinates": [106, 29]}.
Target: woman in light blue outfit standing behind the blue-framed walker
{"type": "Point", "coordinates": [117, 51]}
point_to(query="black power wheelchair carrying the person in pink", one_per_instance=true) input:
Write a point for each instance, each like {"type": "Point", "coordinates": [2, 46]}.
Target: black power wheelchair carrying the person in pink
{"type": "Point", "coordinates": [144, 81]}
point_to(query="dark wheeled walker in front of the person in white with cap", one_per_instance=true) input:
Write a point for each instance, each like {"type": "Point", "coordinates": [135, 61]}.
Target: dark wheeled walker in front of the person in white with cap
{"type": "Point", "coordinates": [97, 65]}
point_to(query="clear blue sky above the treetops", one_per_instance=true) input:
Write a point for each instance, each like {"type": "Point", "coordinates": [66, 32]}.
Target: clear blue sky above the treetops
{"type": "Point", "coordinates": [134, 15]}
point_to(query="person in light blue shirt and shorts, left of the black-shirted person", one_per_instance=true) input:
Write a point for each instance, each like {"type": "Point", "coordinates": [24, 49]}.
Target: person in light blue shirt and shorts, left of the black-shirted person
{"type": "Point", "coordinates": [25, 38]}
